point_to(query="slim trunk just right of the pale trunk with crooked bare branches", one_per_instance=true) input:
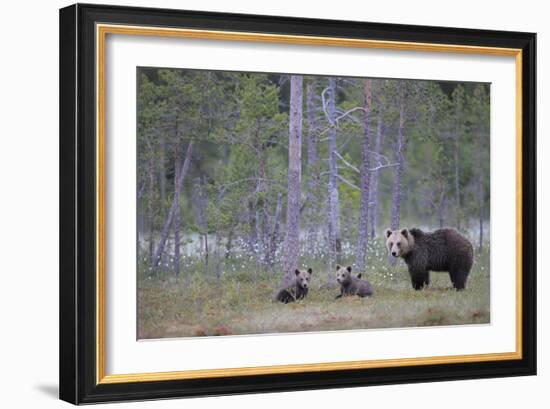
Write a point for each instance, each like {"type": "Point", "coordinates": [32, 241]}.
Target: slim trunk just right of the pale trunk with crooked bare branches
{"type": "Point", "coordinates": [362, 235]}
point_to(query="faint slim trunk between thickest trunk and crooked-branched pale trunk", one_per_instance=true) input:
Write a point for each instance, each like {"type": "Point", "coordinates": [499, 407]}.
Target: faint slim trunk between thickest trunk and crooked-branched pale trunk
{"type": "Point", "coordinates": [312, 157]}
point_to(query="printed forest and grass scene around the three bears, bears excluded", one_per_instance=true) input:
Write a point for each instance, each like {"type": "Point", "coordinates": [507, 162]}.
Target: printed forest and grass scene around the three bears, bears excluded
{"type": "Point", "coordinates": [244, 177]}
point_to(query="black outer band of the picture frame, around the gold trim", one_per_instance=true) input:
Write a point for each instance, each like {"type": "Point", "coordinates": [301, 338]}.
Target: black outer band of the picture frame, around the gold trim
{"type": "Point", "coordinates": [77, 204]}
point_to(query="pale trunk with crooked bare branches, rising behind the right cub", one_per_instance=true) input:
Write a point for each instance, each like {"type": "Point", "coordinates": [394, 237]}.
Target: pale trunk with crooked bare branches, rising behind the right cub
{"type": "Point", "coordinates": [333, 198]}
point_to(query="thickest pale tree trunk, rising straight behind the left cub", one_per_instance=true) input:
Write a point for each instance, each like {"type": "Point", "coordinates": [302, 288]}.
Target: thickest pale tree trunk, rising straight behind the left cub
{"type": "Point", "coordinates": [292, 237]}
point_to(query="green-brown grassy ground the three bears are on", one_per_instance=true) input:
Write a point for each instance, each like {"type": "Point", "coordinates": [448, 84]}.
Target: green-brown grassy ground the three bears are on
{"type": "Point", "coordinates": [241, 303]}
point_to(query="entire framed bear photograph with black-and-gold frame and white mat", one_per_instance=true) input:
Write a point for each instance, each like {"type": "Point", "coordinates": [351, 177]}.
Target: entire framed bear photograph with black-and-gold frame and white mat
{"type": "Point", "coordinates": [257, 203]}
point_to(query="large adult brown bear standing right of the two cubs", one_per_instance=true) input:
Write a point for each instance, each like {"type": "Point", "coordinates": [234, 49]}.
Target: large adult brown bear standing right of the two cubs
{"type": "Point", "coordinates": [441, 250]}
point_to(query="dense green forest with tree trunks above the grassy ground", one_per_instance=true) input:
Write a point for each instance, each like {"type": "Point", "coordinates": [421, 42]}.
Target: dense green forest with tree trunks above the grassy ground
{"type": "Point", "coordinates": [272, 170]}
